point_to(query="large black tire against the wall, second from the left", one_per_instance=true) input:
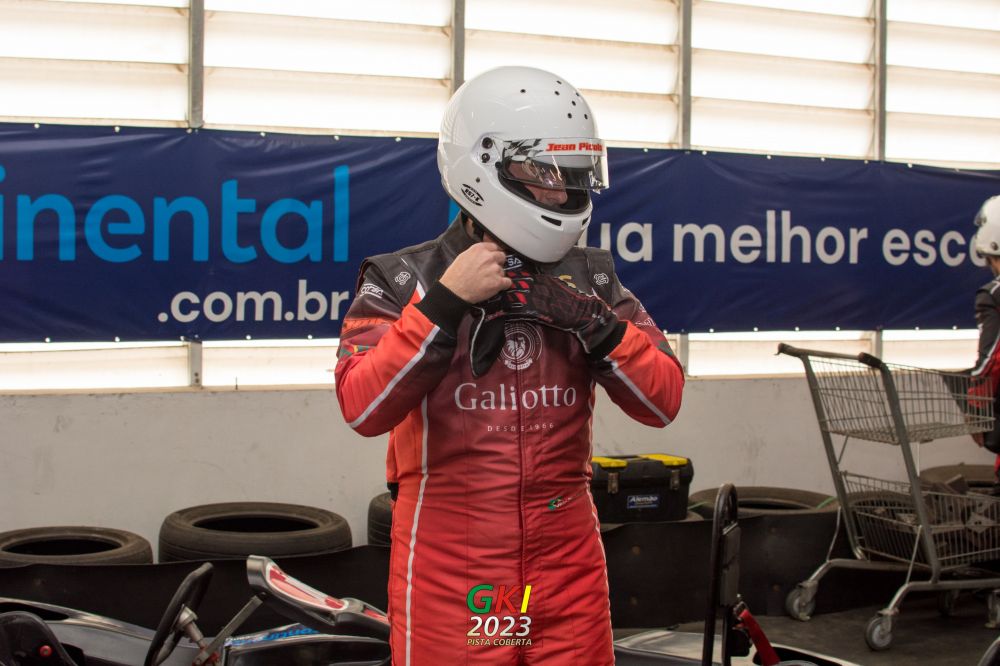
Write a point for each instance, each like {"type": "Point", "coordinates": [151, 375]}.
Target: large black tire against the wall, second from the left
{"type": "Point", "coordinates": [239, 529]}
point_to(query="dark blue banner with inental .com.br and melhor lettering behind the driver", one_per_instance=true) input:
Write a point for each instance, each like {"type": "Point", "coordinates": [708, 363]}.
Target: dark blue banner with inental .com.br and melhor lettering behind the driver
{"type": "Point", "coordinates": [146, 234]}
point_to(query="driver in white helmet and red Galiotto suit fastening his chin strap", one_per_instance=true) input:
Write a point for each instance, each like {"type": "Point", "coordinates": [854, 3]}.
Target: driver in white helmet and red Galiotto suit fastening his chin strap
{"type": "Point", "coordinates": [479, 352]}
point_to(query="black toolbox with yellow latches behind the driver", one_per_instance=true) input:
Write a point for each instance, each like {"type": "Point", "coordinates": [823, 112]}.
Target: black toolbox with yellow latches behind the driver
{"type": "Point", "coordinates": [645, 487]}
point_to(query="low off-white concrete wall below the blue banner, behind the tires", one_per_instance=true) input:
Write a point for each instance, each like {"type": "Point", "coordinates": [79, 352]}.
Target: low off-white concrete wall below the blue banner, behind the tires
{"type": "Point", "coordinates": [127, 460]}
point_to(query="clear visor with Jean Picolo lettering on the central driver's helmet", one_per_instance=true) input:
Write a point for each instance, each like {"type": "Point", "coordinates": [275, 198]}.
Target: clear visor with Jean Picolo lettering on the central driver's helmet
{"type": "Point", "coordinates": [556, 164]}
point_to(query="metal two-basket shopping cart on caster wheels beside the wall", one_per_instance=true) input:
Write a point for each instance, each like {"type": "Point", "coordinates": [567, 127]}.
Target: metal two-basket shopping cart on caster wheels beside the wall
{"type": "Point", "coordinates": [902, 526]}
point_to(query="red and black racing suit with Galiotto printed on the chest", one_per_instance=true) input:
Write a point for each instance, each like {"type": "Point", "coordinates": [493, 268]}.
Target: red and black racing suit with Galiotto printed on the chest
{"type": "Point", "coordinates": [496, 552]}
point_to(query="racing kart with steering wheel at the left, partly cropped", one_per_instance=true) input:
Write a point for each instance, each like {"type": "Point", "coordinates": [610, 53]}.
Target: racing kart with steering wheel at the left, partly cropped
{"type": "Point", "coordinates": [326, 630]}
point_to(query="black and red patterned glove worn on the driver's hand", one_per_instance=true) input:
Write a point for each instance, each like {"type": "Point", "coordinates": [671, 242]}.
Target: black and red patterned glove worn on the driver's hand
{"type": "Point", "coordinates": [559, 304]}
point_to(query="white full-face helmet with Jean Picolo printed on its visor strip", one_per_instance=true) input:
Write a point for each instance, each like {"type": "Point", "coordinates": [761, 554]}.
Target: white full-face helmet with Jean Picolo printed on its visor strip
{"type": "Point", "coordinates": [511, 133]}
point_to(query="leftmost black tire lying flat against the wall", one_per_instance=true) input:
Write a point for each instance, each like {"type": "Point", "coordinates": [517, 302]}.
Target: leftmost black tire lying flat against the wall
{"type": "Point", "coordinates": [73, 545]}
